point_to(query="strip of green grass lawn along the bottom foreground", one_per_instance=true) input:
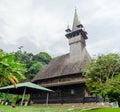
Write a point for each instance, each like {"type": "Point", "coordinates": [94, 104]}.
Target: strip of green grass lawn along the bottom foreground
{"type": "Point", "coordinates": [53, 109]}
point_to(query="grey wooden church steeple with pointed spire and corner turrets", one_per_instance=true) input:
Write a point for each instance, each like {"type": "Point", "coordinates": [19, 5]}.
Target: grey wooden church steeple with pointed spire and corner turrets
{"type": "Point", "coordinates": [76, 38]}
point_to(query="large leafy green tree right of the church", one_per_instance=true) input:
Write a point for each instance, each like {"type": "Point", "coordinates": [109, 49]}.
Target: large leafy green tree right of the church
{"type": "Point", "coordinates": [103, 77]}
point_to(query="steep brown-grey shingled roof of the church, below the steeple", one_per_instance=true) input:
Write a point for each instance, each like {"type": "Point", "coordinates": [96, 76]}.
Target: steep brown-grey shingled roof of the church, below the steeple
{"type": "Point", "coordinates": [61, 66]}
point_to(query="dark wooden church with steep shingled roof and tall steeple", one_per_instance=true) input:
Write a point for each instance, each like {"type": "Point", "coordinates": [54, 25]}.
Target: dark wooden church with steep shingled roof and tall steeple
{"type": "Point", "coordinates": [64, 73]}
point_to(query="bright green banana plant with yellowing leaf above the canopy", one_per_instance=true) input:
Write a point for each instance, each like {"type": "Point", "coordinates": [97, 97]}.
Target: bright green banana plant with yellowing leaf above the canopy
{"type": "Point", "coordinates": [10, 71]}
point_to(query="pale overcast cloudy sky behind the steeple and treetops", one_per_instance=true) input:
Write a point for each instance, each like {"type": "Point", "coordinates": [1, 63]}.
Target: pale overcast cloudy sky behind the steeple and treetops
{"type": "Point", "coordinates": [39, 25]}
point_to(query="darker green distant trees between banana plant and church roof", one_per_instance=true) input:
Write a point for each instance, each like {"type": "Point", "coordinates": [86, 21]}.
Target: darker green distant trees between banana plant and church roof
{"type": "Point", "coordinates": [34, 63]}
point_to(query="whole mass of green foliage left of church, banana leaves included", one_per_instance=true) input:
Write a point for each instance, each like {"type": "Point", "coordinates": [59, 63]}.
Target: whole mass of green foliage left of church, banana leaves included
{"type": "Point", "coordinates": [14, 66]}
